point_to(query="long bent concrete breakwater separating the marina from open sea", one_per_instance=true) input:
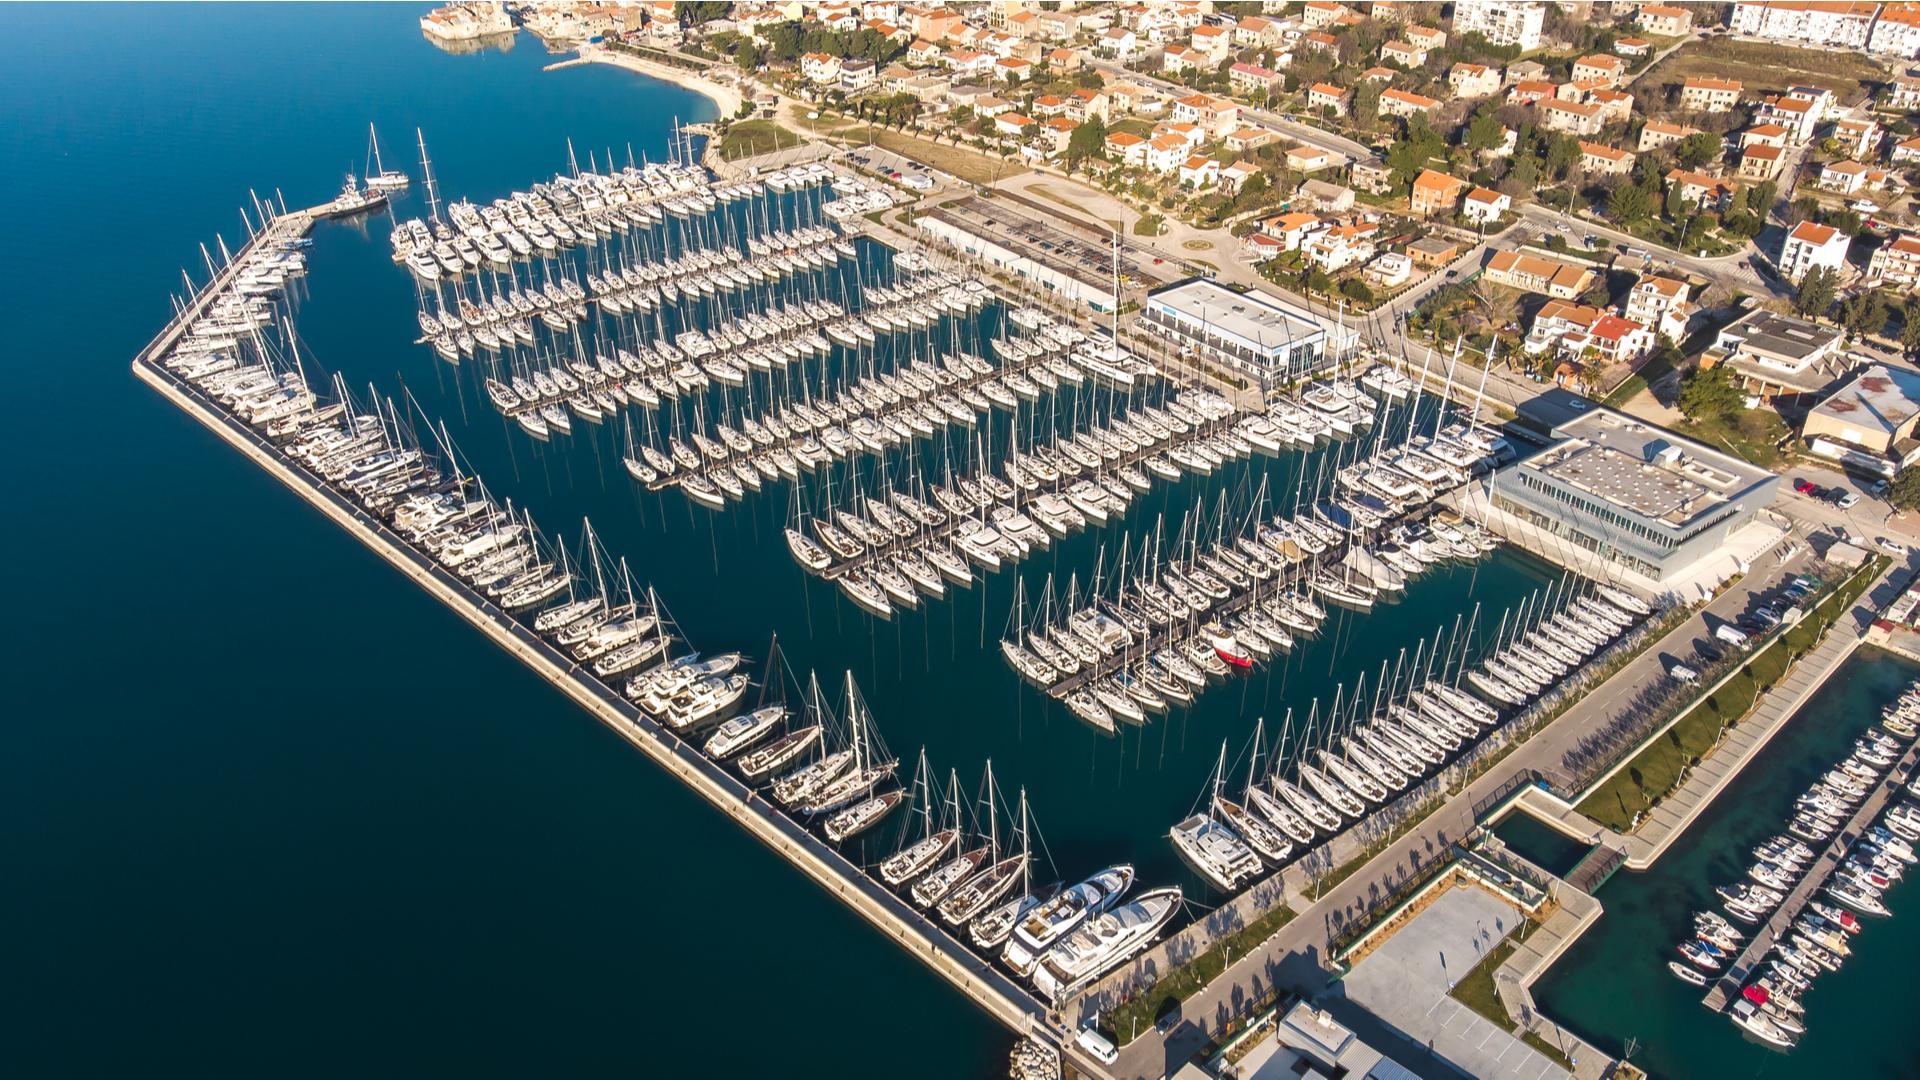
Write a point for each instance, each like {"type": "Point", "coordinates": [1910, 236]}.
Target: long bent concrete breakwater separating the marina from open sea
{"type": "Point", "coordinates": [924, 939]}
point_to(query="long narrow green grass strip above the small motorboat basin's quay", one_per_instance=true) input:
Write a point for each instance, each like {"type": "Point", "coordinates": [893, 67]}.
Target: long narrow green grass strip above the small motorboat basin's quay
{"type": "Point", "coordinates": [1656, 770]}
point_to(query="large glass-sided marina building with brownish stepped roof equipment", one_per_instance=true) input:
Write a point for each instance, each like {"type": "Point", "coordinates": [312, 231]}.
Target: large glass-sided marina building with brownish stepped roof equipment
{"type": "Point", "coordinates": [1635, 495]}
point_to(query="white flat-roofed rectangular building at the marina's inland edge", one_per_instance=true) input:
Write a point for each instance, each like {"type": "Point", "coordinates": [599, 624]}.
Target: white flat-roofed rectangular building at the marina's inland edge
{"type": "Point", "coordinates": [1251, 333]}
